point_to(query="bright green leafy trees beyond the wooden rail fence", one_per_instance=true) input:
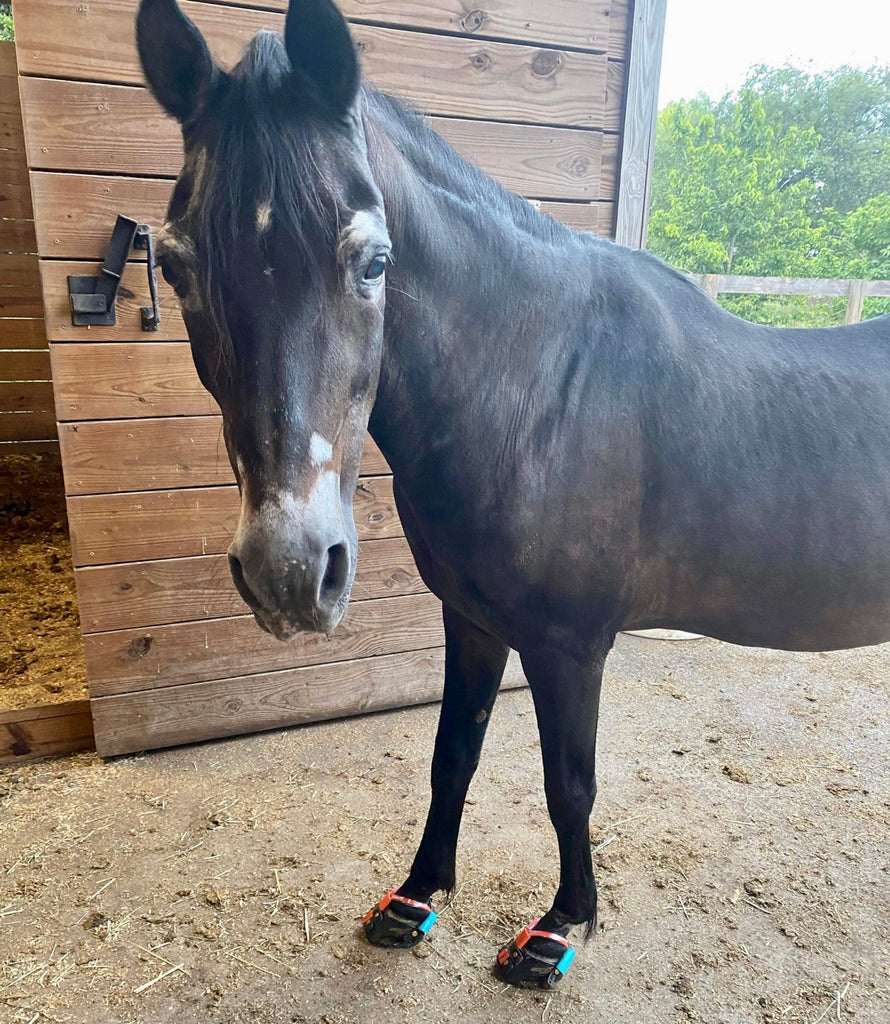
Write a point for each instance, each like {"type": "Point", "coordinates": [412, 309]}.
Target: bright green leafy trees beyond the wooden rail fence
{"type": "Point", "coordinates": [788, 178]}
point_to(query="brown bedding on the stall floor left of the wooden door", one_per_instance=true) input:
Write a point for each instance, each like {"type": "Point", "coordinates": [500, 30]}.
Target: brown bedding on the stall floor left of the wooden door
{"type": "Point", "coordinates": [41, 655]}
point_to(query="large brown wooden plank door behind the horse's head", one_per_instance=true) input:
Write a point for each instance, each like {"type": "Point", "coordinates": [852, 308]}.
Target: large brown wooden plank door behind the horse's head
{"type": "Point", "coordinates": [531, 92]}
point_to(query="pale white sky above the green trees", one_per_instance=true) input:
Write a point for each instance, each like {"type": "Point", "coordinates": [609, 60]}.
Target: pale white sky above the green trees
{"type": "Point", "coordinates": [710, 45]}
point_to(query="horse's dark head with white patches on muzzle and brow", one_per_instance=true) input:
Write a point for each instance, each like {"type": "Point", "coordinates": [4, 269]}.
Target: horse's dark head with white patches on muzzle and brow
{"type": "Point", "coordinates": [276, 243]}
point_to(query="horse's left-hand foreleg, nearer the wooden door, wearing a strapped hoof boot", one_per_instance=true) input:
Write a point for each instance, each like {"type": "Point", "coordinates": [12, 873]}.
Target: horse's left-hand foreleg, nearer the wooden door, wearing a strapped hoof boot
{"type": "Point", "coordinates": [475, 666]}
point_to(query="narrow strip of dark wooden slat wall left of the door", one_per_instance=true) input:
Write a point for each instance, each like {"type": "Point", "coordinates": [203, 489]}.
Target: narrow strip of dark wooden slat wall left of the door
{"type": "Point", "coordinates": [27, 417]}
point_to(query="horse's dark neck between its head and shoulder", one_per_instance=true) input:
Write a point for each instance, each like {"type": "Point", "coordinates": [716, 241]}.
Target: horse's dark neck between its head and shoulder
{"type": "Point", "coordinates": [467, 297]}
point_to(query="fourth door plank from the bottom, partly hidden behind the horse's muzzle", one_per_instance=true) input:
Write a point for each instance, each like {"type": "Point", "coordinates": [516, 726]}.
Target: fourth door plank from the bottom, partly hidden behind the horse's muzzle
{"type": "Point", "coordinates": [155, 525]}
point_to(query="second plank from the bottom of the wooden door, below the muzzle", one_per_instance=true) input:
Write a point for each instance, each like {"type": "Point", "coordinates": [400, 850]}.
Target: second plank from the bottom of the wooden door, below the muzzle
{"type": "Point", "coordinates": [217, 649]}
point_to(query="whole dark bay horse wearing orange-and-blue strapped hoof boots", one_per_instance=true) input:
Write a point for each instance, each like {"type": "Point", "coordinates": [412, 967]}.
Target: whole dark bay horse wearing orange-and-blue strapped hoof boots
{"type": "Point", "coordinates": [581, 441]}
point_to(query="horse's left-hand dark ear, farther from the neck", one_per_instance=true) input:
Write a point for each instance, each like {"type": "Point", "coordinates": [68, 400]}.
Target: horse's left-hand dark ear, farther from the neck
{"type": "Point", "coordinates": [176, 60]}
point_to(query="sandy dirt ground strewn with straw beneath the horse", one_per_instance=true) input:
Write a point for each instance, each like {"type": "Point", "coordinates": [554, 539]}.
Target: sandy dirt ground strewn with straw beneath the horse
{"type": "Point", "coordinates": [743, 849]}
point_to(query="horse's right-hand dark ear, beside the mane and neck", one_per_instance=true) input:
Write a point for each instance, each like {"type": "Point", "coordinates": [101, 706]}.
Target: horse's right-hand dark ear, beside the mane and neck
{"type": "Point", "coordinates": [322, 51]}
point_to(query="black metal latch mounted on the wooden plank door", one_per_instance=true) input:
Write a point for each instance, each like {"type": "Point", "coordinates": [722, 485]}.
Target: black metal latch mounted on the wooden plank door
{"type": "Point", "coordinates": [93, 296]}
